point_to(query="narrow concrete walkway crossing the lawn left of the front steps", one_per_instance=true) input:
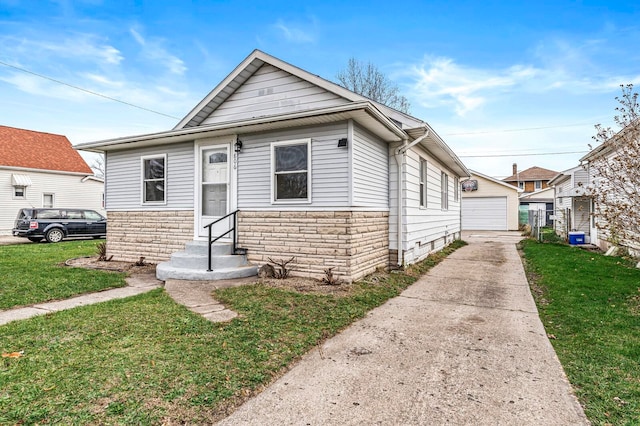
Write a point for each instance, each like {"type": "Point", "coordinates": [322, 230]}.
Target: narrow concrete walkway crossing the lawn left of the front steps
{"type": "Point", "coordinates": [137, 284]}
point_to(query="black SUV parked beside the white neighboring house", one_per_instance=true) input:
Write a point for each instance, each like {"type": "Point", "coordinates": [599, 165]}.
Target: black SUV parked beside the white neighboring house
{"type": "Point", "coordinates": [57, 224]}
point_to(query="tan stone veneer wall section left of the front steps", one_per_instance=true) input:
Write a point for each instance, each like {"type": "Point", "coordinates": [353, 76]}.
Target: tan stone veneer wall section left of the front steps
{"type": "Point", "coordinates": [152, 234]}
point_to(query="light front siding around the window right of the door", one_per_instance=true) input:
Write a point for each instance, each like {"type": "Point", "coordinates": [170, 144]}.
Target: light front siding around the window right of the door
{"type": "Point", "coordinates": [329, 167]}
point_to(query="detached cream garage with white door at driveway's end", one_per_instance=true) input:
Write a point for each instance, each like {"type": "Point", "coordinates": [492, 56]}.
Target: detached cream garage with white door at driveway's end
{"type": "Point", "coordinates": [489, 204]}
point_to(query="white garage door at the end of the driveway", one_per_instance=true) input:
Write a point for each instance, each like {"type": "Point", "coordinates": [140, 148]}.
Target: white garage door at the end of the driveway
{"type": "Point", "coordinates": [488, 213]}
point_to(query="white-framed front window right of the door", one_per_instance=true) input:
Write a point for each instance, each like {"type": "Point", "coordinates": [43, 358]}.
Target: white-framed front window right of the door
{"type": "Point", "coordinates": [291, 167]}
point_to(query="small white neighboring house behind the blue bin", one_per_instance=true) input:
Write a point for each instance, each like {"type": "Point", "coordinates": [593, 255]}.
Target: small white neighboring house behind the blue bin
{"type": "Point", "coordinates": [573, 204]}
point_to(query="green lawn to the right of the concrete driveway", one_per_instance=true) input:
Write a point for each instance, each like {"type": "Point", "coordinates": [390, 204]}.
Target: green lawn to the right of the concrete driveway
{"type": "Point", "coordinates": [590, 306]}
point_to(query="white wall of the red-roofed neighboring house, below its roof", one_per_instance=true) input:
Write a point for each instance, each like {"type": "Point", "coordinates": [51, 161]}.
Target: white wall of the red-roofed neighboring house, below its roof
{"type": "Point", "coordinates": [69, 192]}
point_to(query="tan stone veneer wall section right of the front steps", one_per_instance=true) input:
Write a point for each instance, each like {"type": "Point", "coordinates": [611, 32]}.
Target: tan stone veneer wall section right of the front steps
{"type": "Point", "coordinates": [354, 244]}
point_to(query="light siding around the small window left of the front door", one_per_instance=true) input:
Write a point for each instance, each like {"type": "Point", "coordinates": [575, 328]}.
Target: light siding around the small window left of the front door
{"type": "Point", "coordinates": [123, 188]}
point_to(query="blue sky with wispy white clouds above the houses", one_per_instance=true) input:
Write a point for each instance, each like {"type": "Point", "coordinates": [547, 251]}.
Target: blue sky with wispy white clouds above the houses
{"type": "Point", "coordinates": [501, 81]}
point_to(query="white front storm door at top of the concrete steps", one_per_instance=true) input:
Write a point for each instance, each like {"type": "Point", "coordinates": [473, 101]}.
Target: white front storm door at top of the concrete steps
{"type": "Point", "coordinates": [214, 189]}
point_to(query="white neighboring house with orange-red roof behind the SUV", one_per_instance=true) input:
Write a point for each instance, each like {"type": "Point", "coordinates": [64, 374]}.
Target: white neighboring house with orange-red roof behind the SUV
{"type": "Point", "coordinates": [43, 170]}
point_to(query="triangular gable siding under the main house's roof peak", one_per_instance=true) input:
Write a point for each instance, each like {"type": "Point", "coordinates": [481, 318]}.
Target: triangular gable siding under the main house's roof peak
{"type": "Point", "coordinates": [271, 91]}
